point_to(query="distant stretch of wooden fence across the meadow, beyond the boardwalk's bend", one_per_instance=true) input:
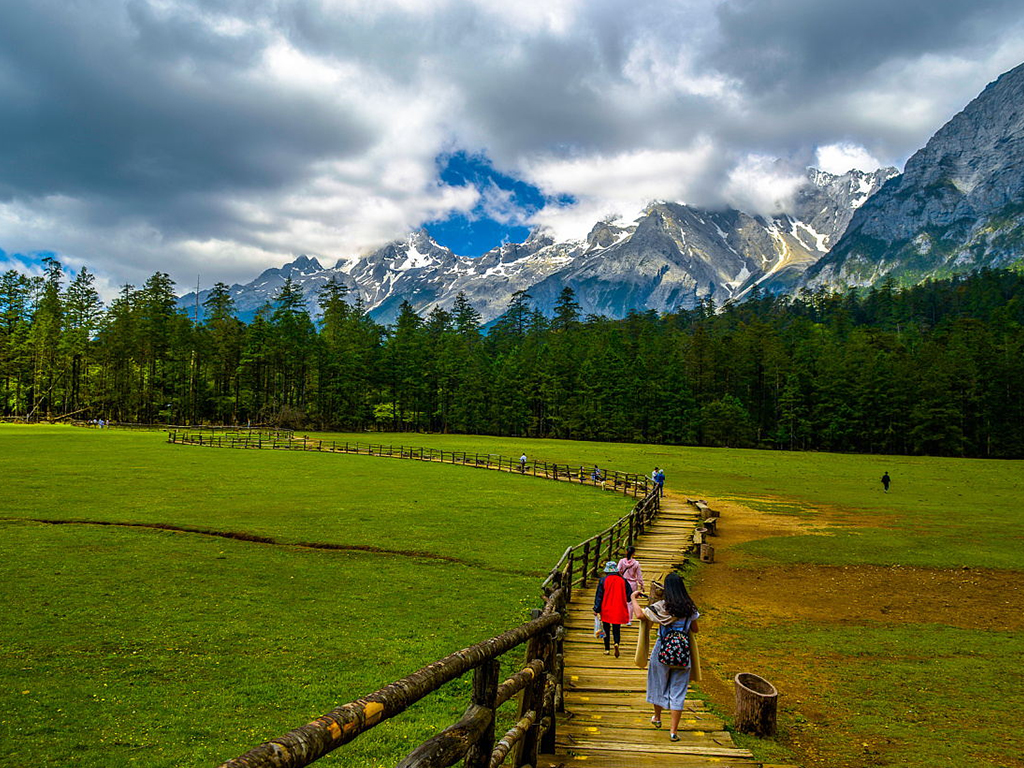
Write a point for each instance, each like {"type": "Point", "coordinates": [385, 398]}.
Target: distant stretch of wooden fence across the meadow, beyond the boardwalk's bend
{"type": "Point", "coordinates": [629, 484]}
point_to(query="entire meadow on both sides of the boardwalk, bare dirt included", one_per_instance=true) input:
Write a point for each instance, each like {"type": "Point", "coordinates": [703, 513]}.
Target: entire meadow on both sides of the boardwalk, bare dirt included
{"type": "Point", "coordinates": [890, 622]}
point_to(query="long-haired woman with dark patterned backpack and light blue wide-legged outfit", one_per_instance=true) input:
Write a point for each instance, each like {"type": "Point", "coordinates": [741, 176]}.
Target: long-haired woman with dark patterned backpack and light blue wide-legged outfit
{"type": "Point", "coordinates": [671, 662]}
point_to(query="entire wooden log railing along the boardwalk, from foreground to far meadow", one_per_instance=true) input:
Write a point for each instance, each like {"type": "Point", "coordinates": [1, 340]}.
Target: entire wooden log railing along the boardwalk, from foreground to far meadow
{"type": "Point", "coordinates": [539, 679]}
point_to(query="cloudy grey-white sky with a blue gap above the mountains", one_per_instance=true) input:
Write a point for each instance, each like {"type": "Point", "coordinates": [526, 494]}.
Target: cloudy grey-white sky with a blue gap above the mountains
{"type": "Point", "coordinates": [219, 138]}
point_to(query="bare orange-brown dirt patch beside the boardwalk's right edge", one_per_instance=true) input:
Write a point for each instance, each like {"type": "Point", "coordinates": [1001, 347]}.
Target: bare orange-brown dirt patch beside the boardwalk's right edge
{"type": "Point", "coordinates": [741, 593]}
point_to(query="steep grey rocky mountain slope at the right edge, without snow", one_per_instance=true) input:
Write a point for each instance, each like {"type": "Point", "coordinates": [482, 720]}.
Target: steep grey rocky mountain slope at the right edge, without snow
{"type": "Point", "coordinates": [958, 206]}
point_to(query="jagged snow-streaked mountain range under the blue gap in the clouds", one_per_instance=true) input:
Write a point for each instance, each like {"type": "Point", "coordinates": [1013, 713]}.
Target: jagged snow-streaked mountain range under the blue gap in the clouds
{"type": "Point", "coordinates": [671, 258]}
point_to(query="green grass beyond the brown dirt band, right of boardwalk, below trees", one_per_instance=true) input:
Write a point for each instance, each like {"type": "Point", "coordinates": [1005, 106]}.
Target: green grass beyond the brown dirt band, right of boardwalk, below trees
{"type": "Point", "coordinates": [940, 514]}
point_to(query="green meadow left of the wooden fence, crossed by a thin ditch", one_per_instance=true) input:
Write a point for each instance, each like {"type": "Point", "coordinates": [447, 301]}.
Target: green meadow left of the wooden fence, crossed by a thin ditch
{"type": "Point", "coordinates": [140, 647]}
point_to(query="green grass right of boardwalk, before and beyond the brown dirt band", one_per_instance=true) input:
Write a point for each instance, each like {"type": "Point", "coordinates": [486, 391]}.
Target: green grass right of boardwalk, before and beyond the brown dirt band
{"type": "Point", "coordinates": [909, 695]}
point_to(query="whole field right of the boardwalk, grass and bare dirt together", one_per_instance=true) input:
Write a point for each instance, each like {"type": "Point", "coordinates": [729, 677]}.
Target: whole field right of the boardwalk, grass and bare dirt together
{"type": "Point", "coordinates": [891, 623]}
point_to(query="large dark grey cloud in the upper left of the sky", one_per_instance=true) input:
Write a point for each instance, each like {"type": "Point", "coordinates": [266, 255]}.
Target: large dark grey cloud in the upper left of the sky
{"type": "Point", "coordinates": [146, 116]}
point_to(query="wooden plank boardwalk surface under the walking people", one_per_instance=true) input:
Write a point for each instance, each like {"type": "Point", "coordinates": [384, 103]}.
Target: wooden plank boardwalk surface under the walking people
{"type": "Point", "coordinates": [607, 723]}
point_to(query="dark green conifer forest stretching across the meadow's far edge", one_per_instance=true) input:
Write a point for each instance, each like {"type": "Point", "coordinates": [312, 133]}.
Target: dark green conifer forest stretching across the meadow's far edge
{"type": "Point", "coordinates": [936, 369]}
